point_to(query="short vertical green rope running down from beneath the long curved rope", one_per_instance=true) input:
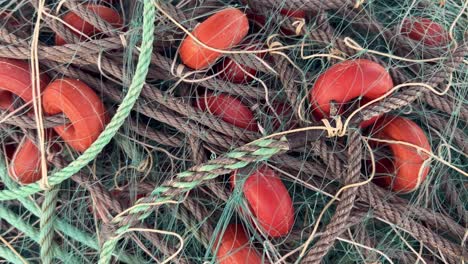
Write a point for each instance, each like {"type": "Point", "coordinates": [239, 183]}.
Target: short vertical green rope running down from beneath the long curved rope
{"type": "Point", "coordinates": [47, 221]}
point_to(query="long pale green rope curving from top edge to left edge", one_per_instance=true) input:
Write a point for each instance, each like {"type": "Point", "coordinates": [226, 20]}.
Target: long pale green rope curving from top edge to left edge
{"type": "Point", "coordinates": [111, 129]}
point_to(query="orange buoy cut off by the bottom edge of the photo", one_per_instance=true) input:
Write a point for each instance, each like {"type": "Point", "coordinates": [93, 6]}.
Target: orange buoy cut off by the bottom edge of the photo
{"type": "Point", "coordinates": [235, 247]}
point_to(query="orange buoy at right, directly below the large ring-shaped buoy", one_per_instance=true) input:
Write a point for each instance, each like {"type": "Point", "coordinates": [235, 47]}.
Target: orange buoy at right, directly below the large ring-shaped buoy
{"type": "Point", "coordinates": [406, 161]}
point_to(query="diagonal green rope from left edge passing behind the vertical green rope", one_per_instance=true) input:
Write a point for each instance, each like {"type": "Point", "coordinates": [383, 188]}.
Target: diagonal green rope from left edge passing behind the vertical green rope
{"type": "Point", "coordinates": [16, 221]}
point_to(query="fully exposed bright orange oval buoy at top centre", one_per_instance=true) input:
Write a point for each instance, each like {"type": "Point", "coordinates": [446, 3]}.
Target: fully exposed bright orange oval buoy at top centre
{"type": "Point", "coordinates": [222, 30]}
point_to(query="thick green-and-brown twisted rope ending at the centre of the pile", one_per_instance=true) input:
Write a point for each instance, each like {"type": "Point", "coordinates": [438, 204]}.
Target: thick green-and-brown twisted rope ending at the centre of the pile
{"type": "Point", "coordinates": [190, 179]}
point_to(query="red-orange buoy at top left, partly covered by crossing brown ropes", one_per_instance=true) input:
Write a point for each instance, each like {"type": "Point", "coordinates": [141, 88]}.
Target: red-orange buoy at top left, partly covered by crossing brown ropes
{"type": "Point", "coordinates": [73, 20]}
